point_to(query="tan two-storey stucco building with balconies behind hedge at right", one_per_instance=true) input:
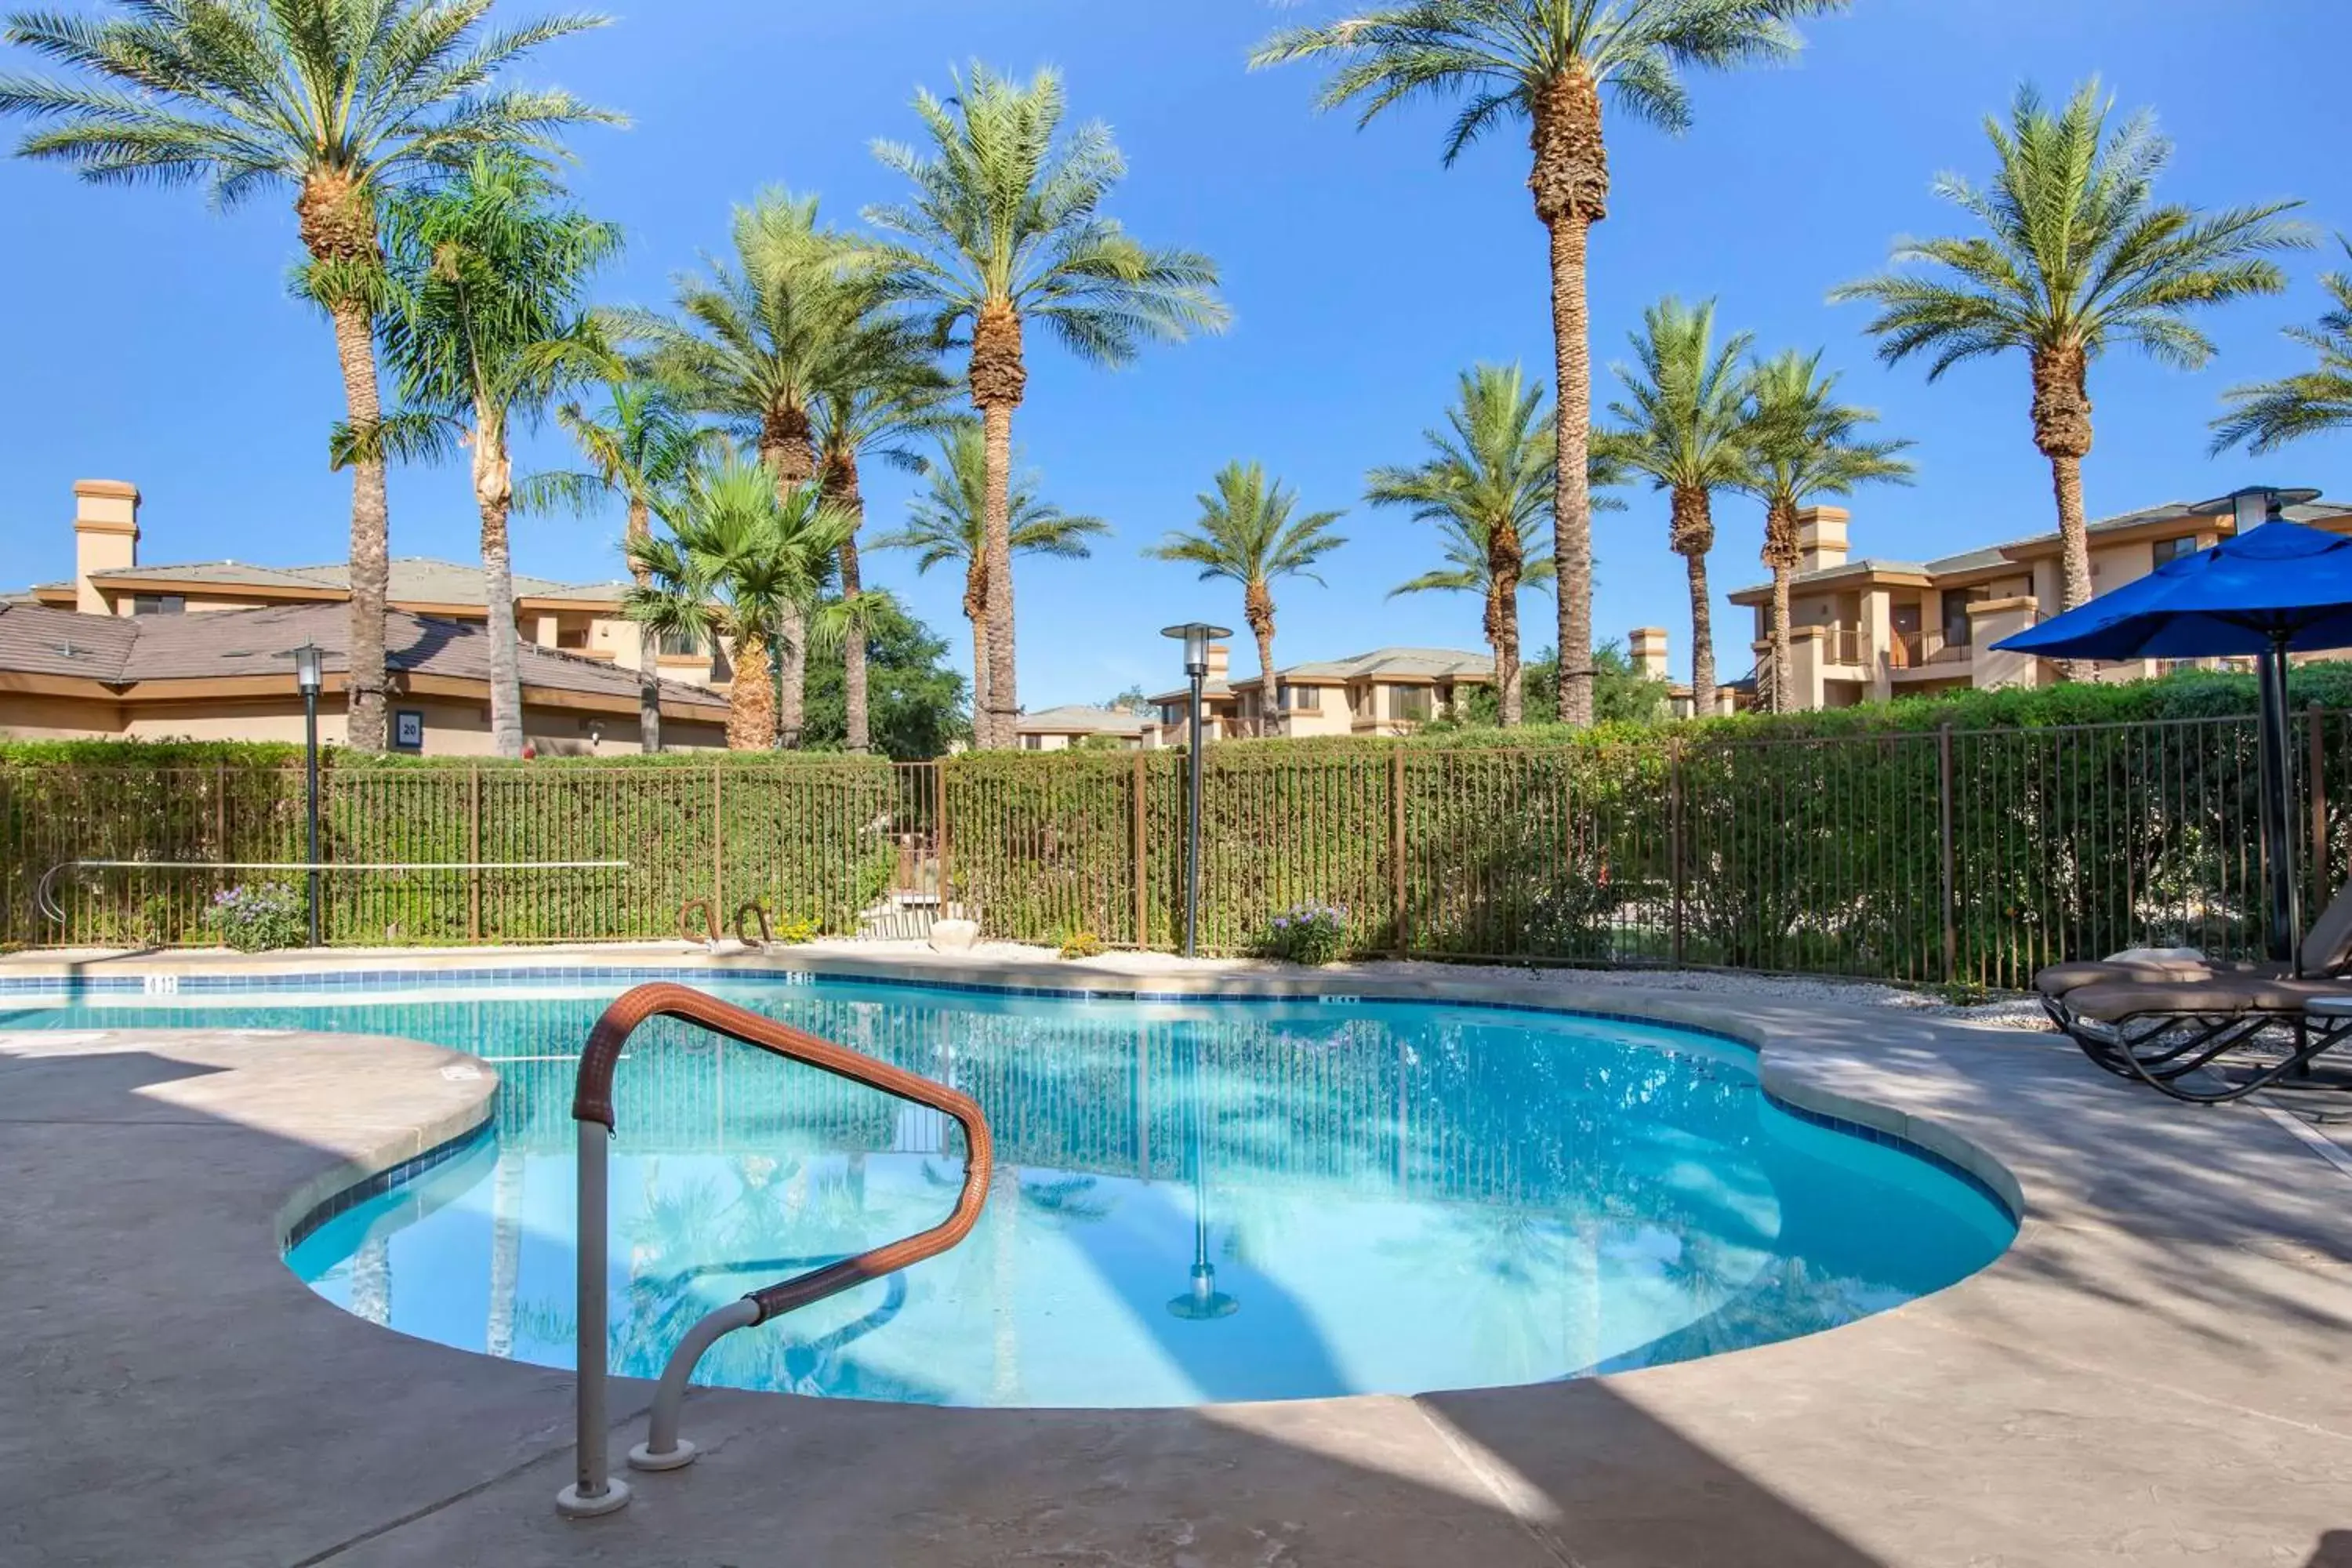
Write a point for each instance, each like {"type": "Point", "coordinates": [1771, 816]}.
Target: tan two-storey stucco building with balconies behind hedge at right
{"type": "Point", "coordinates": [1873, 629]}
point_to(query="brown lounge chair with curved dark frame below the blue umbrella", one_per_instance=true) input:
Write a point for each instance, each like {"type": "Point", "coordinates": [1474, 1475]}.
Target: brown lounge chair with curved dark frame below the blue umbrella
{"type": "Point", "coordinates": [2160, 1017]}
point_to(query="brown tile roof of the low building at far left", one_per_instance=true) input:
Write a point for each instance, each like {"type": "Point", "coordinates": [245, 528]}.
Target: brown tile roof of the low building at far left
{"type": "Point", "coordinates": [218, 645]}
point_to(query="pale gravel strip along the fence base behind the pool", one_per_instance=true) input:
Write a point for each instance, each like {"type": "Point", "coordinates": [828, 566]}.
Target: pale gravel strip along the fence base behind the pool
{"type": "Point", "coordinates": [2000, 1012]}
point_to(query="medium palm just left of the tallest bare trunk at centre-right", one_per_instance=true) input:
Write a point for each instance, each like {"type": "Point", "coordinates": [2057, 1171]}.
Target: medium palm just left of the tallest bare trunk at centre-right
{"type": "Point", "coordinates": [1488, 485]}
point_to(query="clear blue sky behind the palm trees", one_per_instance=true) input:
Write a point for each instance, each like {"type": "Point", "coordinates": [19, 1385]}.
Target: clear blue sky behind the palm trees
{"type": "Point", "coordinates": [149, 340]}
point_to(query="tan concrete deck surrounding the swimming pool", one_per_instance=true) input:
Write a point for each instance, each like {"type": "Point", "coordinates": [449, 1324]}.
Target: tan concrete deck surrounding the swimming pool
{"type": "Point", "coordinates": [2153, 1374]}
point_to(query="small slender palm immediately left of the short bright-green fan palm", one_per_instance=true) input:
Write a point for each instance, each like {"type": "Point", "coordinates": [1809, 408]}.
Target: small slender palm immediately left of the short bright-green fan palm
{"type": "Point", "coordinates": [639, 448]}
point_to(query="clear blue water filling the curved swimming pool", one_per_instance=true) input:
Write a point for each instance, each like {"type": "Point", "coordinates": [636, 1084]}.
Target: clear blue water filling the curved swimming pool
{"type": "Point", "coordinates": [1396, 1198]}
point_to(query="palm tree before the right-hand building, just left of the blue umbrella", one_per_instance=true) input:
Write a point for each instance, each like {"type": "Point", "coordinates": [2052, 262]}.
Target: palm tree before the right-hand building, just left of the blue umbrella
{"type": "Point", "coordinates": [2076, 257]}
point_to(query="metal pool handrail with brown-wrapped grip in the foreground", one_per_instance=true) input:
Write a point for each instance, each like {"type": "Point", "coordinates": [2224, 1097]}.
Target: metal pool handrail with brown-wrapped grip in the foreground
{"type": "Point", "coordinates": [596, 1492]}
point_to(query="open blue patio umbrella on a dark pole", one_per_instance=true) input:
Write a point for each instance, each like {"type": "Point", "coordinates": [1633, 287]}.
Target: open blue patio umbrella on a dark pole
{"type": "Point", "coordinates": [2269, 591]}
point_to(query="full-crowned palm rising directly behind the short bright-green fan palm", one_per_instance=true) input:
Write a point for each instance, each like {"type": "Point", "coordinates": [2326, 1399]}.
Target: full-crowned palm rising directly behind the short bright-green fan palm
{"type": "Point", "coordinates": [759, 340]}
